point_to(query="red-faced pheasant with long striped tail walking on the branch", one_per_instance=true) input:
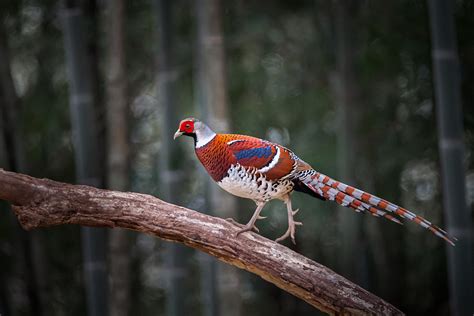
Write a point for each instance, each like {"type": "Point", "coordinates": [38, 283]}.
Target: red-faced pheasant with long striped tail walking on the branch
{"type": "Point", "coordinates": [262, 171]}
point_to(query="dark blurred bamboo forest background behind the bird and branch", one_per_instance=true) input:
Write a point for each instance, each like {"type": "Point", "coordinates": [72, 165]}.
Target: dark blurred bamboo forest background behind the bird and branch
{"type": "Point", "coordinates": [347, 85]}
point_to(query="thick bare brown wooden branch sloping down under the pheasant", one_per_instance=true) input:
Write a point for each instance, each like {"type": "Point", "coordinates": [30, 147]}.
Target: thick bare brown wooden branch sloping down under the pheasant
{"type": "Point", "coordinates": [44, 203]}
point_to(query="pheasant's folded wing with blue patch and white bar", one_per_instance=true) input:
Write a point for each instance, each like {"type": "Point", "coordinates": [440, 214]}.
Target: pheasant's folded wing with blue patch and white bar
{"type": "Point", "coordinates": [272, 160]}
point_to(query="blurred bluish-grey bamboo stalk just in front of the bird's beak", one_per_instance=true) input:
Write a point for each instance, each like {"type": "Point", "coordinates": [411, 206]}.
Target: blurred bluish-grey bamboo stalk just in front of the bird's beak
{"type": "Point", "coordinates": [175, 256]}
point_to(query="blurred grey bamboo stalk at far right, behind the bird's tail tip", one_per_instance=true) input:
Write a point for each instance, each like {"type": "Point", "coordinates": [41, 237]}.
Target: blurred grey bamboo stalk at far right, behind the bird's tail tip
{"type": "Point", "coordinates": [452, 154]}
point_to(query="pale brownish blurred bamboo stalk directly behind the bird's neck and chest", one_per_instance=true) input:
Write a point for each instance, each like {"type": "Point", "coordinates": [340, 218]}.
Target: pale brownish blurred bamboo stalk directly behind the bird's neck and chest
{"type": "Point", "coordinates": [224, 296]}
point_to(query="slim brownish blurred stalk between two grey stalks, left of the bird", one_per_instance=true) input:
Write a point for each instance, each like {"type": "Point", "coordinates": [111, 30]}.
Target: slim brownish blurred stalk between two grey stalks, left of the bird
{"type": "Point", "coordinates": [118, 153]}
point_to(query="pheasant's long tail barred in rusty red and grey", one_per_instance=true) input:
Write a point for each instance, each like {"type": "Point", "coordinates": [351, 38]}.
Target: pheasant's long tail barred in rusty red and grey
{"type": "Point", "coordinates": [361, 201]}
